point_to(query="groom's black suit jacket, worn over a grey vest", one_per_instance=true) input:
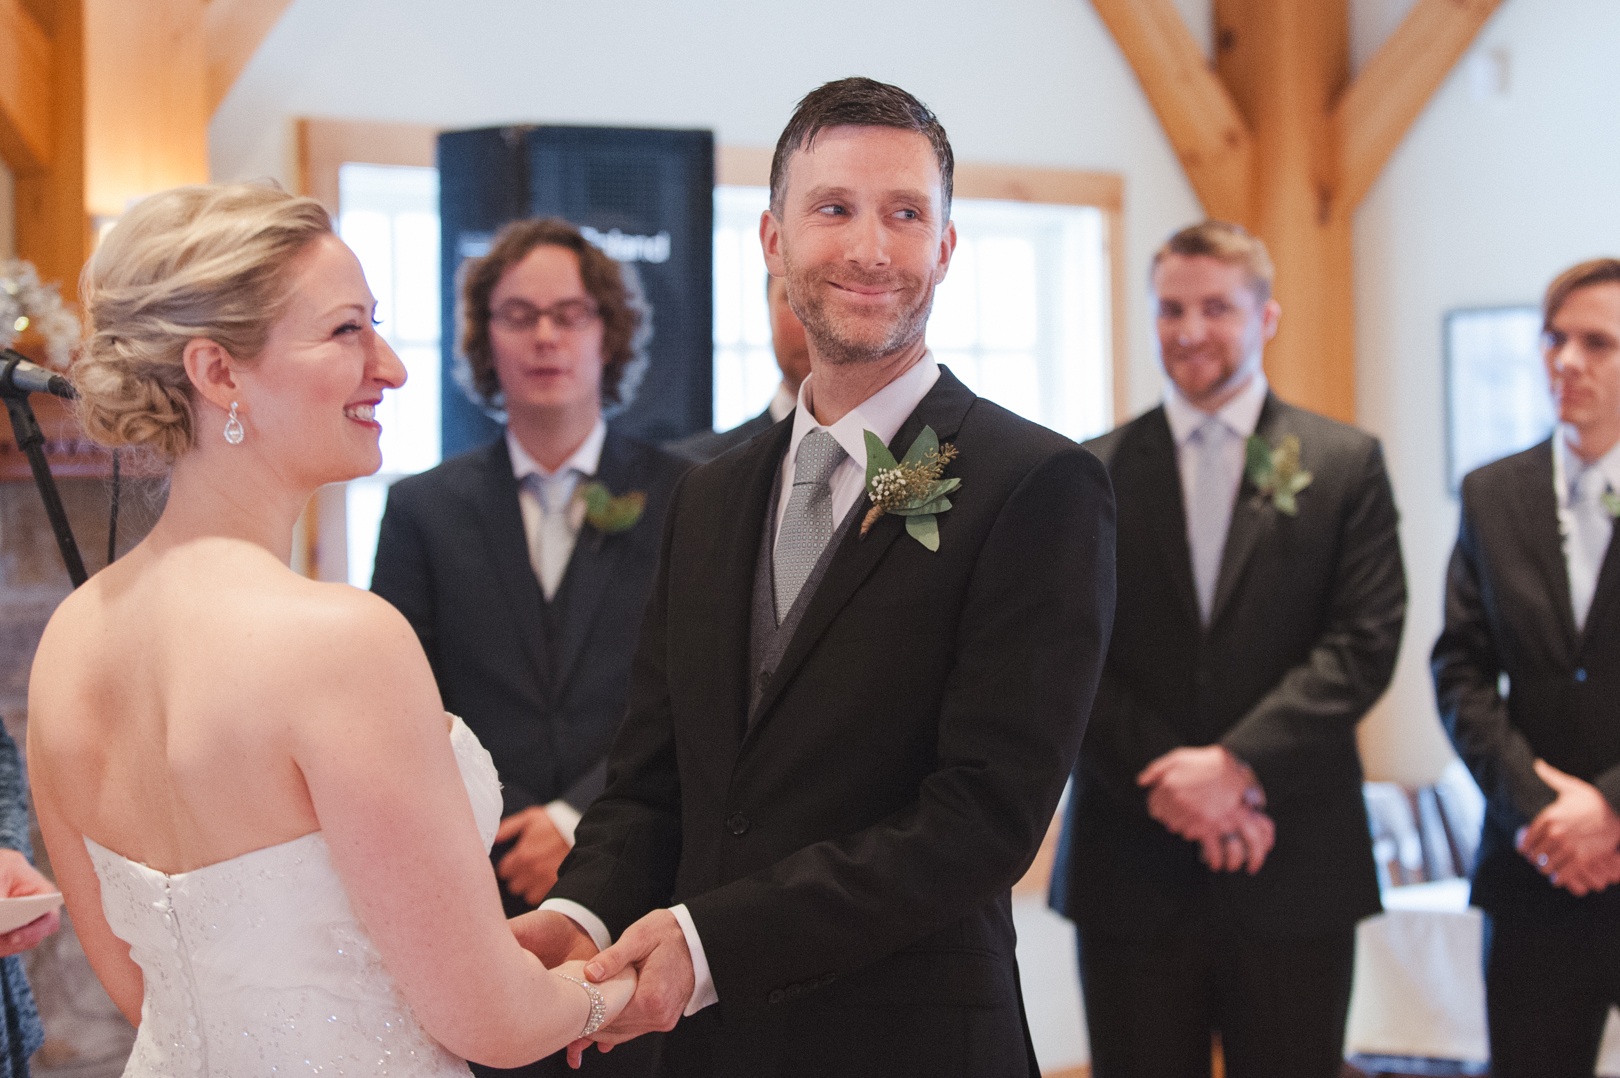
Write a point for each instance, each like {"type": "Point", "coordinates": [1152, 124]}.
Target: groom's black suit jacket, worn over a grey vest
{"type": "Point", "coordinates": [853, 849]}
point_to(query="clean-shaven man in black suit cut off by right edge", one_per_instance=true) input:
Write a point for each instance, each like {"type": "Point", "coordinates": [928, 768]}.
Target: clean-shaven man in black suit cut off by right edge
{"type": "Point", "coordinates": [1528, 682]}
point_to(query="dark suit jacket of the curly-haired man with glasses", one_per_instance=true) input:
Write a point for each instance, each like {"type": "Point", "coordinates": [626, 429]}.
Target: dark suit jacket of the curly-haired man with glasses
{"type": "Point", "coordinates": [454, 560]}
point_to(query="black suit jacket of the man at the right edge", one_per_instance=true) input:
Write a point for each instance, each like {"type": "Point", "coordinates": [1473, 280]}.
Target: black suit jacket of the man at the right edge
{"type": "Point", "coordinates": [1507, 612]}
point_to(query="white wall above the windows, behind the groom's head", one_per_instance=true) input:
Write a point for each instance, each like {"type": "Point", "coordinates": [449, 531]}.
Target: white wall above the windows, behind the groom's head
{"type": "Point", "coordinates": [1028, 82]}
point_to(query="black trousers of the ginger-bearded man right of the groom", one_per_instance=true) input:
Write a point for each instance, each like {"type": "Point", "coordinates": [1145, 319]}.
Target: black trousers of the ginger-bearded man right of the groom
{"type": "Point", "coordinates": [1154, 1004]}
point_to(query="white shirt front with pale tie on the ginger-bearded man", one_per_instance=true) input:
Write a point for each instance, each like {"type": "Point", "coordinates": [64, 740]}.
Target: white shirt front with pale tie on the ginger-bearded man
{"type": "Point", "coordinates": [1238, 417]}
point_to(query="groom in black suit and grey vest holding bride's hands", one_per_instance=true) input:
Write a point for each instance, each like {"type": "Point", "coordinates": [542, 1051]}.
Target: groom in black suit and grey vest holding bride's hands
{"type": "Point", "coordinates": [843, 745]}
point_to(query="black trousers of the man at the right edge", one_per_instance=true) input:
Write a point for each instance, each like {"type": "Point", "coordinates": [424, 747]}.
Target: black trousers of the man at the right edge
{"type": "Point", "coordinates": [1548, 995]}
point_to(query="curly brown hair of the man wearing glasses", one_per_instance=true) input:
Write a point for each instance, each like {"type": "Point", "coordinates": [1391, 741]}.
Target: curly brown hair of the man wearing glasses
{"type": "Point", "coordinates": [628, 320]}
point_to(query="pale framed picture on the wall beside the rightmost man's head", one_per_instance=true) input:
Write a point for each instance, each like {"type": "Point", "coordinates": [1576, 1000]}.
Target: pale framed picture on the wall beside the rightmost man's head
{"type": "Point", "coordinates": [1496, 388]}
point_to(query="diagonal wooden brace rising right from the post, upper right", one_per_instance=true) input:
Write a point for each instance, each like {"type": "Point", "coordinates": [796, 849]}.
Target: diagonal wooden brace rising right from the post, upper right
{"type": "Point", "coordinates": [1392, 90]}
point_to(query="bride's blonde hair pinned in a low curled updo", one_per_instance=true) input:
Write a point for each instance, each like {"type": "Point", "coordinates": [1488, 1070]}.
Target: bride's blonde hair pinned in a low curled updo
{"type": "Point", "coordinates": [198, 262]}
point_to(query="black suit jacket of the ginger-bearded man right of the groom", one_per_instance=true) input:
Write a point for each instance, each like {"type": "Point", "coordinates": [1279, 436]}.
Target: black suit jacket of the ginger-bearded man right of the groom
{"type": "Point", "coordinates": [1303, 640]}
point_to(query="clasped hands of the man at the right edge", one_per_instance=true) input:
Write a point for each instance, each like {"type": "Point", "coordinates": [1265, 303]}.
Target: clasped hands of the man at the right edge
{"type": "Point", "coordinates": [1574, 842]}
